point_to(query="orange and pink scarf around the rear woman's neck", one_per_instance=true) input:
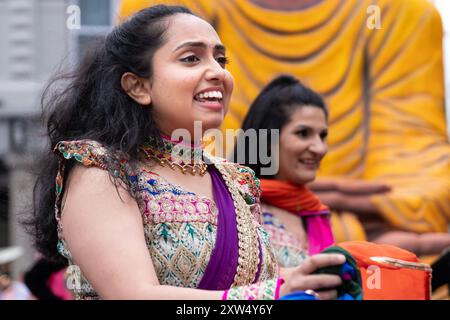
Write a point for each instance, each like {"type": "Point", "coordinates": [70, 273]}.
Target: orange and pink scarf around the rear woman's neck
{"type": "Point", "coordinates": [301, 201]}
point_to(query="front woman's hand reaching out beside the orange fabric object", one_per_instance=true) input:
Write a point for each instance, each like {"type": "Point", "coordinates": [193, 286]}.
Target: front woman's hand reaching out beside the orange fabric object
{"type": "Point", "coordinates": [302, 279]}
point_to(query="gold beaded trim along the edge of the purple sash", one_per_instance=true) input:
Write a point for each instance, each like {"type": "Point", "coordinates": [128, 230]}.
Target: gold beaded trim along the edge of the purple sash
{"type": "Point", "coordinates": [248, 260]}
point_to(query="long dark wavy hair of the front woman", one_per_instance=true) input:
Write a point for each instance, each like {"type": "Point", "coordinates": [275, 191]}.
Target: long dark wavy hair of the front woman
{"type": "Point", "coordinates": [91, 104]}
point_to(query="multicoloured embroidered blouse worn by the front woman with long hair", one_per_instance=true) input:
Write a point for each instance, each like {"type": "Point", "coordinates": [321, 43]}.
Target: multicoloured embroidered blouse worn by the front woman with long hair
{"type": "Point", "coordinates": [180, 226]}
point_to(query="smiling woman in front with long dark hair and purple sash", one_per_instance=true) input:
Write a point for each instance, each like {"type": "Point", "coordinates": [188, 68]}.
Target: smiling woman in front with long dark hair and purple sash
{"type": "Point", "coordinates": [117, 198]}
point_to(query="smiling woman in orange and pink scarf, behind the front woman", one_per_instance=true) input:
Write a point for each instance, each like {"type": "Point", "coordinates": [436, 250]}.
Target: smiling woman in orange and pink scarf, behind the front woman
{"type": "Point", "coordinates": [296, 219]}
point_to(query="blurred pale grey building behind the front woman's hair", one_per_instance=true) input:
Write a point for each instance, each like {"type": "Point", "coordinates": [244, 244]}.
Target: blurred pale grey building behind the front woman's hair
{"type": "Point", "coordinates": [36, 37]}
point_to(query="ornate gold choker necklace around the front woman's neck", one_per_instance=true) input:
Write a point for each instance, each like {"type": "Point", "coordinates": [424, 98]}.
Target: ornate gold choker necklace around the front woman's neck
{"type": "Point", "coordinates": [164, 151]}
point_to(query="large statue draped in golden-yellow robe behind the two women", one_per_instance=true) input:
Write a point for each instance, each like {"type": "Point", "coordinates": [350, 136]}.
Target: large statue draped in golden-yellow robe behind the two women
{"type": "Point", "coordinates": [378, 65]}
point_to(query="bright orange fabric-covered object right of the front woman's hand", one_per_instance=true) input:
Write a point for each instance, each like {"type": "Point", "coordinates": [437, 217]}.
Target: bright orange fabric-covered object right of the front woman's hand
{"type": "Point", "coordinates": [383, 281]}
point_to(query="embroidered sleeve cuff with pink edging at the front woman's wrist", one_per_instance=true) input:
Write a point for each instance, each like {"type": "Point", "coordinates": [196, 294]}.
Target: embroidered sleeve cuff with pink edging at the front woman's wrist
{"type": "Point", "coordinates": [265, 290]}
